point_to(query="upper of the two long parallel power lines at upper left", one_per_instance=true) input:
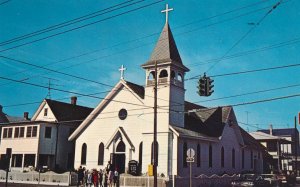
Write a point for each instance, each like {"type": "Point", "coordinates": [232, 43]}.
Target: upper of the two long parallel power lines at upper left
{"type": "Point", "coordinates": [69, 22]}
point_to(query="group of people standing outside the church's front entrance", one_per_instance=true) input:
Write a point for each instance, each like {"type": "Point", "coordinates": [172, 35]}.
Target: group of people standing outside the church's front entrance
{"type": "Point", "coordinates": [107, 177]}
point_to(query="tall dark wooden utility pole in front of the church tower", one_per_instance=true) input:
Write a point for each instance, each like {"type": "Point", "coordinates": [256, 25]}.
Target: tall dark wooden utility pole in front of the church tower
{"type": "Point", "coordinates": [155, 129]}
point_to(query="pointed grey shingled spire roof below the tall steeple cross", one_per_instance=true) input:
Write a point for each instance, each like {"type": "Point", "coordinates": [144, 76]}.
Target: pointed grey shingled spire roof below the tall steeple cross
{"type": "Point", "coordinates": [165, 50]}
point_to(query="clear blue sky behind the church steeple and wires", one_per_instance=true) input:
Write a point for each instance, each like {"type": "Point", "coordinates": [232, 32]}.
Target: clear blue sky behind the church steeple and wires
{"type": "Point", "coordinates": [203, 32]}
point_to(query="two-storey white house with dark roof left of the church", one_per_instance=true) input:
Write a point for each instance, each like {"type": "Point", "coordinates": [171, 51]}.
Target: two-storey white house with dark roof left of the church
{"type": "Point", "coordinates": [43, 140]}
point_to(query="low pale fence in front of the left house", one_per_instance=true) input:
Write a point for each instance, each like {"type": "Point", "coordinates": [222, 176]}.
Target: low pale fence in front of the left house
{"type": "Point", "coordinates": [33, 177]}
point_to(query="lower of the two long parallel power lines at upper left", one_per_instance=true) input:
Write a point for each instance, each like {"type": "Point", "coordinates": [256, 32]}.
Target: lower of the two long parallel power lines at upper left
{"type": "Point", "coordinates": [82, 26]}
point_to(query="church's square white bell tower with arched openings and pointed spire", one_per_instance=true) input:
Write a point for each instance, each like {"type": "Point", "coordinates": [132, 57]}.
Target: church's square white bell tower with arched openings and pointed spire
{"type": "Point", "coordinates": [170, 80]}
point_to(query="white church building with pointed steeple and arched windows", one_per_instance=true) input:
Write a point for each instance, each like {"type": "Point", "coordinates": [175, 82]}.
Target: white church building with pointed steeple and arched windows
{"type": "Point", "coordinates": [120, 128]}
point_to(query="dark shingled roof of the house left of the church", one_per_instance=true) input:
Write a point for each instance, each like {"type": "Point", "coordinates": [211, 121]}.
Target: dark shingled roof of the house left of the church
{"type": "Point", "coordinates": [65, 111]}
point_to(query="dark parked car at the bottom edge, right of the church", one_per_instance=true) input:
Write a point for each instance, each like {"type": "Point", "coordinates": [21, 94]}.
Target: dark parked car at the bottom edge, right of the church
{"type": "Point", "coordinates": [250, 180]}
